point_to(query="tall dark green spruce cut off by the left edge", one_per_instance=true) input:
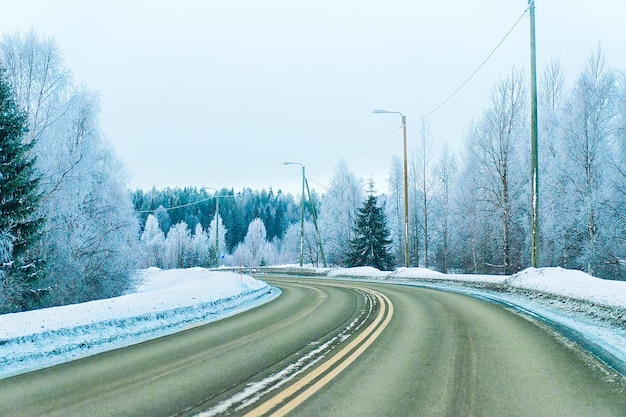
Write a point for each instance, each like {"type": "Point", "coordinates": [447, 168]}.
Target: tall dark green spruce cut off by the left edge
{"type": "Point", "coordinates": [18, 202]}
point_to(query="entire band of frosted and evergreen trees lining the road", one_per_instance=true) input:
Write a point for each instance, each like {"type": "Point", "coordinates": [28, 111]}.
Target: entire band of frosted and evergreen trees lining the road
{"type": "Point", "coordinates": [72, 231]}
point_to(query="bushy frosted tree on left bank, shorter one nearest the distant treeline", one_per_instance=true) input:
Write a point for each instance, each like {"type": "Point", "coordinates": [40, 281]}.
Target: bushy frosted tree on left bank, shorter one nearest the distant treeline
{"type": "Point", "coordinates": [91, 234]}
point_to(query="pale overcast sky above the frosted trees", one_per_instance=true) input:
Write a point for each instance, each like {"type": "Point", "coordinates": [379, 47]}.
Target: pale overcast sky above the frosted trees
{"type": "Point", "coordinates": [220, 93]}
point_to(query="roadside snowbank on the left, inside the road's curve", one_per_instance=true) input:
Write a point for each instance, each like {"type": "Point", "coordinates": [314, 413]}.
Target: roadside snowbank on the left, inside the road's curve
{"type": "Point", "coordinates": [165, 302]}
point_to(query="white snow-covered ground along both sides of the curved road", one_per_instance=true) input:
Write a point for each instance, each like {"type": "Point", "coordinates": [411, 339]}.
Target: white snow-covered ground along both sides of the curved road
{"type": "Point", "coordinates": [169, 301]}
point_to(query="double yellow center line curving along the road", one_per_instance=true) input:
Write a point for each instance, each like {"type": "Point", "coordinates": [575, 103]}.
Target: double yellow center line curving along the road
{"type": "Point", "coordinates": [372, 332]}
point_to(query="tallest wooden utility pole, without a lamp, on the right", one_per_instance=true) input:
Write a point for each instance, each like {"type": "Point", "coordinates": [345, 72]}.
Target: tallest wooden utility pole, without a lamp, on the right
{"type": "Point", "coordinates": [534, 159]}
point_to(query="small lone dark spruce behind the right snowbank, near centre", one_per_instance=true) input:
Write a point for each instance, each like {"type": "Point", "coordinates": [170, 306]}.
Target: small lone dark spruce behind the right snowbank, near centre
{"type": "Point", "coordinates": [370, 247]}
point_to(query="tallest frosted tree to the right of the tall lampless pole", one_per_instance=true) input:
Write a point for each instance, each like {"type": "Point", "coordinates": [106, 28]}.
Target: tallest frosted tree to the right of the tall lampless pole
{"type": "Point", "coordinates": [591, 113]}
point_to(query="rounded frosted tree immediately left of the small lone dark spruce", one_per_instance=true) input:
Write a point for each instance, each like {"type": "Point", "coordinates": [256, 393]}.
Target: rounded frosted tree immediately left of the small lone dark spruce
{"type": "Point", "coordinates": [337, 213]}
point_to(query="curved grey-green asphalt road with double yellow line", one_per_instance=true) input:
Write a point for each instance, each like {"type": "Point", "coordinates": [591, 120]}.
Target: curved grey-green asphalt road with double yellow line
{"type": "Point", "coordinates": [328, 348]}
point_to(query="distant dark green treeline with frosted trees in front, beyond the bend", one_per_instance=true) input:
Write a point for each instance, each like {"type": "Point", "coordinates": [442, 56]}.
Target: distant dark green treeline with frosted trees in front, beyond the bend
{"type": "Point", "coordinates": [187, 227]}
